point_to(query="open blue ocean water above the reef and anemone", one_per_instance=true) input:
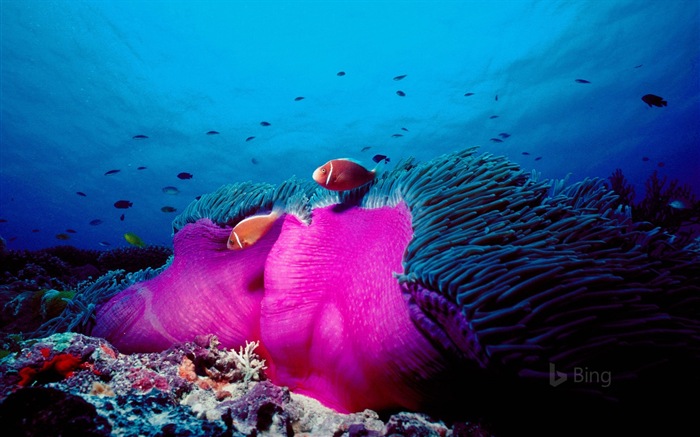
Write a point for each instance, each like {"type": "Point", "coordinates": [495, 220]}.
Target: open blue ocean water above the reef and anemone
{"type": "Point", "coordinates": [563, 80]}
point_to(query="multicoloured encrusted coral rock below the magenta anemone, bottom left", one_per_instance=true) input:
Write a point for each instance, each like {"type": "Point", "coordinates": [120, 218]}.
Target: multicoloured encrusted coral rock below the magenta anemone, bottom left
{"type": "Point", "coordinates": [196, 389]}
